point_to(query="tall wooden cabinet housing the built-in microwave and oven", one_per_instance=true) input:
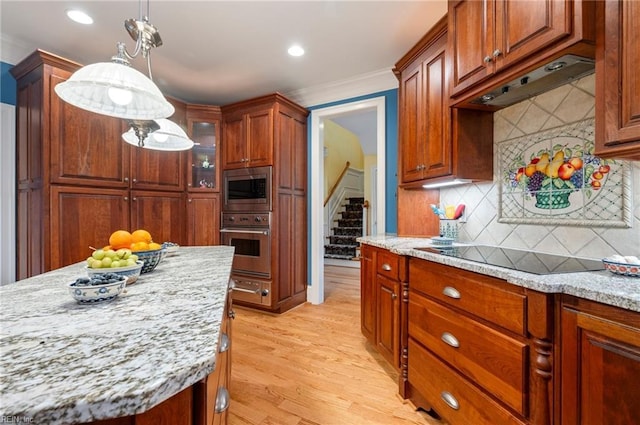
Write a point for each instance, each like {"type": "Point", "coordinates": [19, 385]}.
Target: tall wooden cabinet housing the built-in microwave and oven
{"type": "Point", "coordinates": [271, 130]}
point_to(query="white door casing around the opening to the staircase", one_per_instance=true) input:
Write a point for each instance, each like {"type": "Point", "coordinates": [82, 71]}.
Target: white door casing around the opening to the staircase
{"type": "Point", "coordinates": [315, 292]}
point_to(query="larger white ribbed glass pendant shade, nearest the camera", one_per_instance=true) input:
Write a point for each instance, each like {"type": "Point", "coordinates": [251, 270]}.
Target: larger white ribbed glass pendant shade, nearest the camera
{"type": "Point", "coordinates": [117, 90]}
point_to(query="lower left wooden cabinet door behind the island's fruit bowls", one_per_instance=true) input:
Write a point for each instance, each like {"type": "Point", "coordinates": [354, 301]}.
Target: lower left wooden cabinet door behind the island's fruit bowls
{"type": "Point", "coordinates": [84, 217]}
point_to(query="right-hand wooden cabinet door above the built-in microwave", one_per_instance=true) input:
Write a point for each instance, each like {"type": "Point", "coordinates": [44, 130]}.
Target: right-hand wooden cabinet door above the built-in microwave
{"type": "Point", "coordinates": [260, 137]}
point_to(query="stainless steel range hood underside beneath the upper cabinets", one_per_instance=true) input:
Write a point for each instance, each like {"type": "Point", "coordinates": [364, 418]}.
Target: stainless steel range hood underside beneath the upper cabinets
{"type": "Point", "coordinates": [561, 71]}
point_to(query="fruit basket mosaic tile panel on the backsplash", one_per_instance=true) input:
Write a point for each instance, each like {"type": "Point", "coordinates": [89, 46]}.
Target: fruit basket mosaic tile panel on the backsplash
{"type": "Point", "coordinates": [553, 177]}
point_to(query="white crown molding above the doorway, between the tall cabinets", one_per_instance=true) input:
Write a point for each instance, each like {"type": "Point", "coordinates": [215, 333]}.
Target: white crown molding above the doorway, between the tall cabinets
{"type": "Point", "coordinates": [360, 85]}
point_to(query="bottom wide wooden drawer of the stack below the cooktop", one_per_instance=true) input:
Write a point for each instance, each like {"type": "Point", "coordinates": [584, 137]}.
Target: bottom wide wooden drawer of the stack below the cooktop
{"type": "Point", "coordinates": [453, 398]}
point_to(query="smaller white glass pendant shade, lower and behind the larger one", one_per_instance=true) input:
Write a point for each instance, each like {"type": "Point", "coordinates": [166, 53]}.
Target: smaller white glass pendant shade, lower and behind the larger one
{"type": "Point", "coordinates": [168, 137]}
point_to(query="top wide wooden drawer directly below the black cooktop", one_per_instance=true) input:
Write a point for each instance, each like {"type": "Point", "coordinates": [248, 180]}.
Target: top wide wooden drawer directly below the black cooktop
{"type": "Point", "coordinates": [480, 295]}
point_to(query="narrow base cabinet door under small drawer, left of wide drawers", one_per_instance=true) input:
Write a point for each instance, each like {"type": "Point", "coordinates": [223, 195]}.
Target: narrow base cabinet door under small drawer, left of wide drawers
{"type": "Point", "coordinates": [388, 316]}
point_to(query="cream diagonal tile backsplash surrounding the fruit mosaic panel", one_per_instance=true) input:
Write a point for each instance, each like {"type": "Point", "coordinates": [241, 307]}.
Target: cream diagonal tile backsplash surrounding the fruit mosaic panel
{"type": "Point", "coordinates": [563, 105]}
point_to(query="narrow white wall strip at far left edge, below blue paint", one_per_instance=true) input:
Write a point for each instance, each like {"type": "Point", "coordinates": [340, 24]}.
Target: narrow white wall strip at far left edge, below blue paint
{"type": "Point", "coordinates": [7, 194]}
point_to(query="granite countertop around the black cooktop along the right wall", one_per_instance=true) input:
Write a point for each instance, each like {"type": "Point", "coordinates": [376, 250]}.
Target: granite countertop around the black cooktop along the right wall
{"type": "Point", "coordinates": [601, 286]}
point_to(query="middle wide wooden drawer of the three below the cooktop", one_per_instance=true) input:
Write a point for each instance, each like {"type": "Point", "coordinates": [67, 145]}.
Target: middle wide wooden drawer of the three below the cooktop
{"type": "Point", "coordinates": [487, 357]}
